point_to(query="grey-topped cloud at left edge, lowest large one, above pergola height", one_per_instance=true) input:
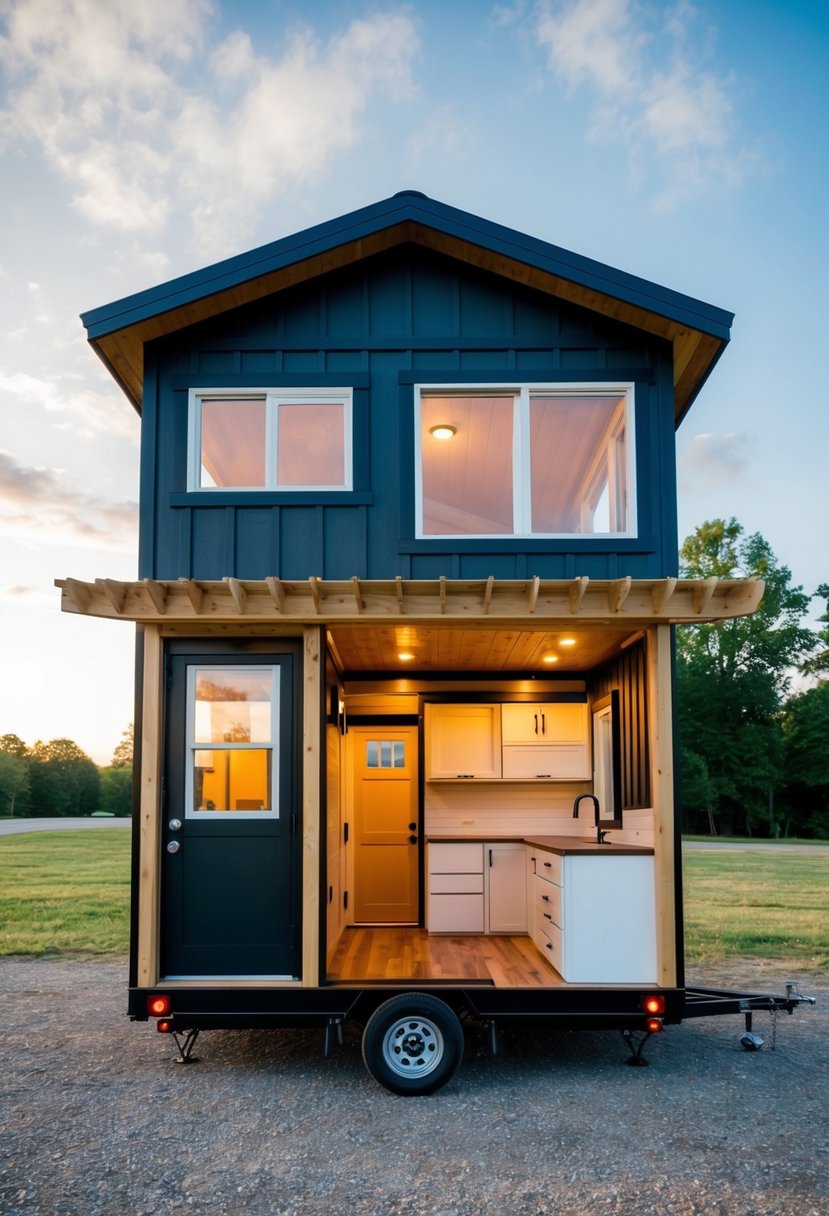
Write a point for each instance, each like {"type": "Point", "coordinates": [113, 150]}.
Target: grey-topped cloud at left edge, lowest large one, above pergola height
{"type": "Point", "coordinates": [40, 504]}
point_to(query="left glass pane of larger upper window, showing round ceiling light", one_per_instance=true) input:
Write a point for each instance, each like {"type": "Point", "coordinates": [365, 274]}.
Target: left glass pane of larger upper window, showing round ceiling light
{"type": "Point", "coordinates": [467, 478]}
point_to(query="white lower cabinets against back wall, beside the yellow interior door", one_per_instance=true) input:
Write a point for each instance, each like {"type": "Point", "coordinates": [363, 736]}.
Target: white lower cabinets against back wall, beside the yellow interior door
{"type": "Point", "coordinates": [477, 887]}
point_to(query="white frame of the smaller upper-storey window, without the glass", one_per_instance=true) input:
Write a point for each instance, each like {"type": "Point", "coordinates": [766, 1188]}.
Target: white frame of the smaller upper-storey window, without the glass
{"type": "Point", "coordinates": [274, 399]}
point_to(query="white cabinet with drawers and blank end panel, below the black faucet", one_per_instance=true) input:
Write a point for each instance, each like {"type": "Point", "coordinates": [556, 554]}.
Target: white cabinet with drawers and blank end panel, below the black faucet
{"type": "Point", "coordinates": [593, 917]}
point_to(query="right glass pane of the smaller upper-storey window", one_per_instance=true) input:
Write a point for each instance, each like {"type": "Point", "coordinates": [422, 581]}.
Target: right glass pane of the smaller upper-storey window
{"type": "Point", "coordinates": [312, 444]}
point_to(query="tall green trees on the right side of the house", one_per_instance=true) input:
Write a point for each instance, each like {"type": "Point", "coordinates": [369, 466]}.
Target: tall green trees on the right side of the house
{"type": "Point", "coordinates": [753, 700]}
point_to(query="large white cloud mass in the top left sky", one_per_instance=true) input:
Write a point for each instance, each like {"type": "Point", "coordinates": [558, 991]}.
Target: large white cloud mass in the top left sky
{"type": "Point", "coordinates": [125, 100]}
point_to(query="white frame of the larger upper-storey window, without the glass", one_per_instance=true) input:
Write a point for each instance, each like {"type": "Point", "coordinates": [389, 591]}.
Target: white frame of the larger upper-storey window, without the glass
{"type": "Point", "coordinates": [522, 465]}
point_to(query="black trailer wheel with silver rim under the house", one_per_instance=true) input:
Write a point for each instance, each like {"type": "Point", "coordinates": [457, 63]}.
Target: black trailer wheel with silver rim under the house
{"type": "Point", "coordinates": [413, 1044]}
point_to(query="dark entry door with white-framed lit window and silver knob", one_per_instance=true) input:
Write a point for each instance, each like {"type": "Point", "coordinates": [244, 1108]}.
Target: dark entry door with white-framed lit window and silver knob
{"type": "Point", "coordinates": [230, 882]}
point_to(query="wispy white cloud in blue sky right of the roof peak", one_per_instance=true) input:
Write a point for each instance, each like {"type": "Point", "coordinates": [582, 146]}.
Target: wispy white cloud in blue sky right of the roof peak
{"type": "Point", "coordinates": [678, 119]}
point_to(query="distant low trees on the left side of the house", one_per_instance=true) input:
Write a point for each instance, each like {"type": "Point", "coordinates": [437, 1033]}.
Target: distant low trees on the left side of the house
{"type": "Point", "coordinates": [58, 779]}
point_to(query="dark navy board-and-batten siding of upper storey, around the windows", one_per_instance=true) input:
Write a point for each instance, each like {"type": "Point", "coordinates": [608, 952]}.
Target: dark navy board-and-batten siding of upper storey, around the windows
{"type": "Point", "coordinates": [381, 328]}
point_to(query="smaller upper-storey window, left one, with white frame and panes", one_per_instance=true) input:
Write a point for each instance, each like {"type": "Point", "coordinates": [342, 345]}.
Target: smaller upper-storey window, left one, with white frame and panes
{"type": "Point", "coordinates": [264, 440]}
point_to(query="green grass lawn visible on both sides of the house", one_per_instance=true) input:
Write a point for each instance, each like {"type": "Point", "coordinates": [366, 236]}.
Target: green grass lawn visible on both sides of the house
{"type": "Point", "coordinates": [67, 893]}
